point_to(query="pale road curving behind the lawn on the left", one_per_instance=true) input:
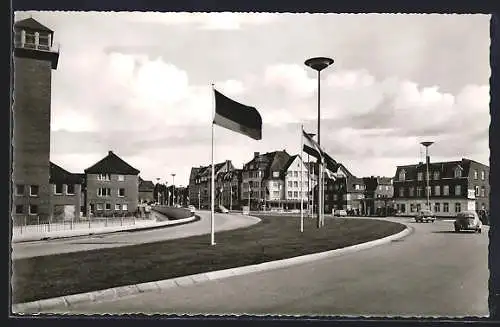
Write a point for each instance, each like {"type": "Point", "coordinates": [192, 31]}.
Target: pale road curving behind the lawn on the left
{"type": "Point", "coordinates": [85, 243]}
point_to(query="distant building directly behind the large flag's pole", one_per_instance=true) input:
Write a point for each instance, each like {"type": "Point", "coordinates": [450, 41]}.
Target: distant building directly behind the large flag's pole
{"type": "Point", "coordinates": [200, 187]}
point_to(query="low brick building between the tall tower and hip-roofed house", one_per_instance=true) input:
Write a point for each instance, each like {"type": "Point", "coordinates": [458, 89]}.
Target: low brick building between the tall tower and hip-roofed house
{"type": "Point", "coordinates": [67, 198]}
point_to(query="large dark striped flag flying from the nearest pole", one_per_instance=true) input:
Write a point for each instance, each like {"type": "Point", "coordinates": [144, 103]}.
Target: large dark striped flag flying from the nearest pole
{"type": "Point", "coordinates": [237, 117]}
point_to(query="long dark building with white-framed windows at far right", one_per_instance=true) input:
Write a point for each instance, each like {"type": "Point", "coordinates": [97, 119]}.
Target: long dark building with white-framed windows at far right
{"type": "Point", "coordinates": [455, 186]}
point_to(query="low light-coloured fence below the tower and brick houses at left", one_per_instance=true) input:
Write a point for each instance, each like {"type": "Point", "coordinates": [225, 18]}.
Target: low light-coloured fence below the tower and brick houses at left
{"type": "Point", "coordinates": [38, 224]}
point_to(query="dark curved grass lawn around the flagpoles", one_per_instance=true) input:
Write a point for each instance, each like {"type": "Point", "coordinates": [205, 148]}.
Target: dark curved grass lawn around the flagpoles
{"type": "Point", "coordinates": [274, 238]}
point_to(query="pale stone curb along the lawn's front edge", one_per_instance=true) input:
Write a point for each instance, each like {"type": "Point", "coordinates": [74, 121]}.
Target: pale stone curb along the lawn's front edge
{"type": "Point", "coordinates": [162, 285]}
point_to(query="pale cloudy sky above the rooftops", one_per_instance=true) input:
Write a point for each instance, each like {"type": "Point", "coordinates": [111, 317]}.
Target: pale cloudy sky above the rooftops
{"type": "Point", "coordinates": [139, 84]}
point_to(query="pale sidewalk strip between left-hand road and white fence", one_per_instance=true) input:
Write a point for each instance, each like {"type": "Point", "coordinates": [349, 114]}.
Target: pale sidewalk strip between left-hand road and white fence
{"type": "Point", "coordinates": [84, 230]}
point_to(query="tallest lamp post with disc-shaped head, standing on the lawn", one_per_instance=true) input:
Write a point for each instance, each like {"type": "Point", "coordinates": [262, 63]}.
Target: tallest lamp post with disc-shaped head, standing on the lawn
{"type": "Point", "coordinates": [318, 64]}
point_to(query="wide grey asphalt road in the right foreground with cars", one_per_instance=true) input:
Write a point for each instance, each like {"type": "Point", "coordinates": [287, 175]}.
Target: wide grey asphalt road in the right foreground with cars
{"type": "Point", "coordinates": [434, 272]}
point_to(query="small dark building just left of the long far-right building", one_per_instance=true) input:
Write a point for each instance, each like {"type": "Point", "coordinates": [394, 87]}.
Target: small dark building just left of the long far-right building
{"type": "Point", "coordinates": [378, 196]}
